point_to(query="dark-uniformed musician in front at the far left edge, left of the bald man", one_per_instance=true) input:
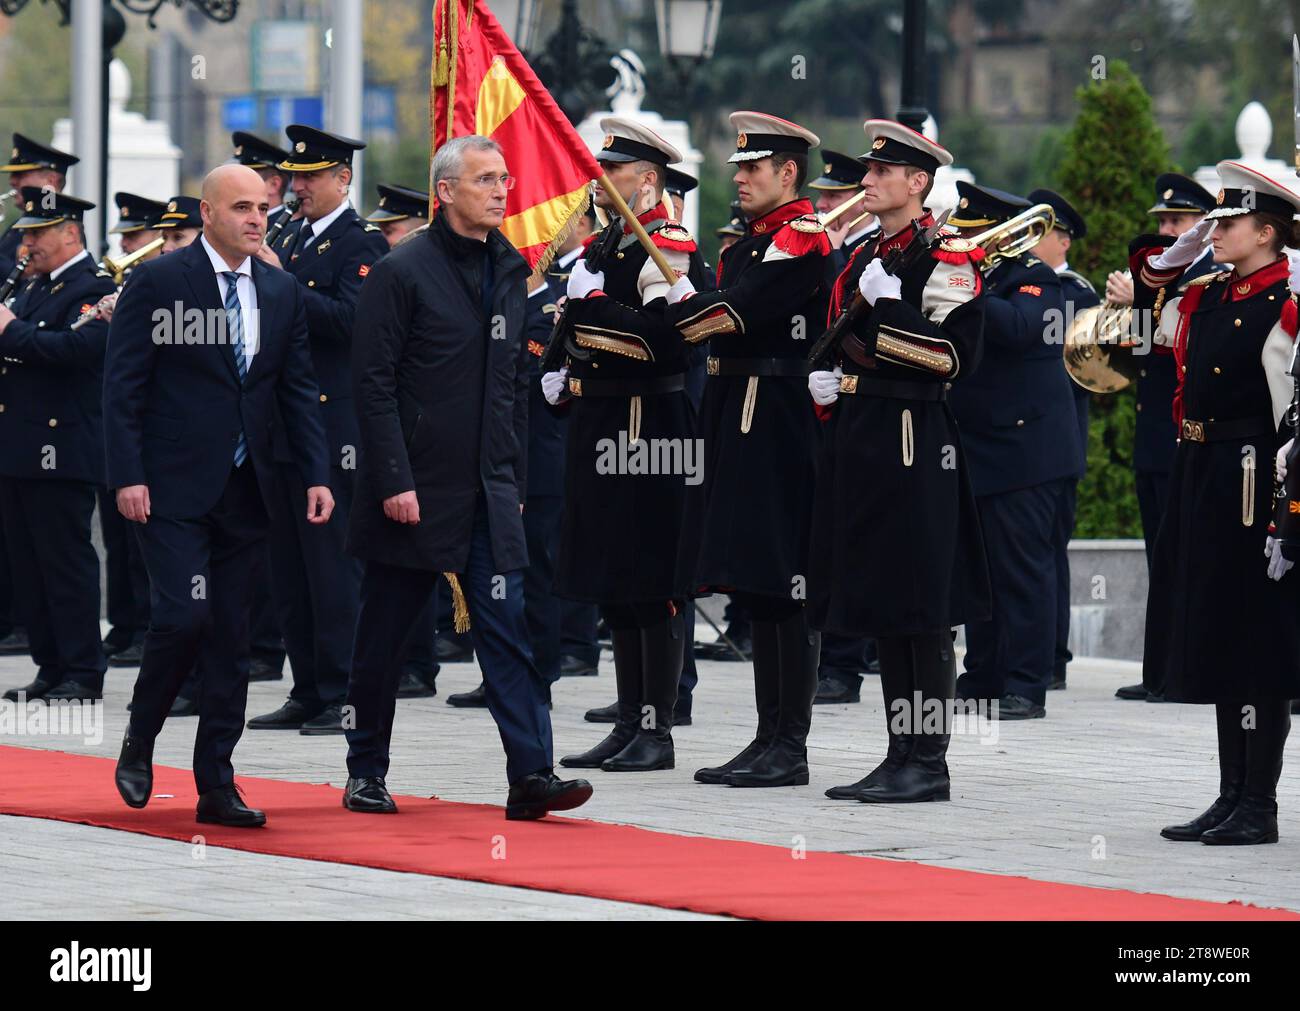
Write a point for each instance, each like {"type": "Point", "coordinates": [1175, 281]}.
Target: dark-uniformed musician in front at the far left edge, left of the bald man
{"type": "Point", "coordinates": [53, 446]}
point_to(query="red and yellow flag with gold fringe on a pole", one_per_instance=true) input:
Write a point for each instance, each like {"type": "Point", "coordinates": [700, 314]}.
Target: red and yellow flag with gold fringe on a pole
{"type": "Point", "coordinates": [483, 85]}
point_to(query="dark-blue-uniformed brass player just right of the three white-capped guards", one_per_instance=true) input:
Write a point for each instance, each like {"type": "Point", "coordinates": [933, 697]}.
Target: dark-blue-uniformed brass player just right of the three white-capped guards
{"type": "Point", "coordinates": [1021, 433]}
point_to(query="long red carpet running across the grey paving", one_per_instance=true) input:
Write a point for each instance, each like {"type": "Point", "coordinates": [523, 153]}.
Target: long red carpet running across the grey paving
{"type": "Point", "coordinates": [577, 857]}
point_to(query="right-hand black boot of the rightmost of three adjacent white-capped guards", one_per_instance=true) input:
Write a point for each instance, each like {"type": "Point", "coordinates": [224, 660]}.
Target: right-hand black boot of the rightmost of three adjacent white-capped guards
{"type": "Point", "coordinates": [925, 775]}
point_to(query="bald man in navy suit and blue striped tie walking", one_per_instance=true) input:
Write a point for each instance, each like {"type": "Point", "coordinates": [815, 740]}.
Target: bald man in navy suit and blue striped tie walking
{"type": "Point", "coordinates": [189, 435]}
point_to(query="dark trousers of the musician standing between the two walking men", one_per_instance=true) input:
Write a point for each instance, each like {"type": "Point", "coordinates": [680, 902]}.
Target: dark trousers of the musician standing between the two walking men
{"type": "Point", "coordinates": [317, 585]}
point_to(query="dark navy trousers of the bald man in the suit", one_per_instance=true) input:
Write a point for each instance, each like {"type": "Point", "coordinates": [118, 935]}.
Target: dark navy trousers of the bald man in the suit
{"type": "Point", "coordinates": [201, 579]}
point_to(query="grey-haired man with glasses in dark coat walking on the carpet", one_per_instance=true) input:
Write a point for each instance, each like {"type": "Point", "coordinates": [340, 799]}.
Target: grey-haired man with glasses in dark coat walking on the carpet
{"type": "Point", "coordinates": [440, 370]}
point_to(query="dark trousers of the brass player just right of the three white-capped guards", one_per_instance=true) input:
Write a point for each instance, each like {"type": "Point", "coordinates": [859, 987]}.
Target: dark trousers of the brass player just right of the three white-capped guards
{"type": "Point", "coordinates": [1015, 652]}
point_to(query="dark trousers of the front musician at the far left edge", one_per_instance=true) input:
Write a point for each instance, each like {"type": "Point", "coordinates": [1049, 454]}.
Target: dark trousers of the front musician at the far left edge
{"type": "Point", "coordinates": [55, 575]}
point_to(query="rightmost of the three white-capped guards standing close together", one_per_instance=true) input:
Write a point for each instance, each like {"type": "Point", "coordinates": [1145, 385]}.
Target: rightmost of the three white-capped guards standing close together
{"type": "Point", "coordinates": [898, 553]}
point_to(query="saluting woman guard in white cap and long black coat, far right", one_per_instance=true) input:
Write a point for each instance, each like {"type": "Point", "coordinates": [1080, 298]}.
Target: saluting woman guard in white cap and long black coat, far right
{"type": "Point", "coordinates": [1221, 614]}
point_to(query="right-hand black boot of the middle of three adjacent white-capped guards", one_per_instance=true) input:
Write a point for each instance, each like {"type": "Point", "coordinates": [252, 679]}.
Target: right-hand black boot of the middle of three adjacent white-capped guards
{"type": "Point", "coordinates": [786, 763]}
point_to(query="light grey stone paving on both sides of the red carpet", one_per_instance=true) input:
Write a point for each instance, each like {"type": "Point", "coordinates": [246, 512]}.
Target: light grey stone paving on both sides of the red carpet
{"type": "Point", "coordinates": [1078, 797]}
